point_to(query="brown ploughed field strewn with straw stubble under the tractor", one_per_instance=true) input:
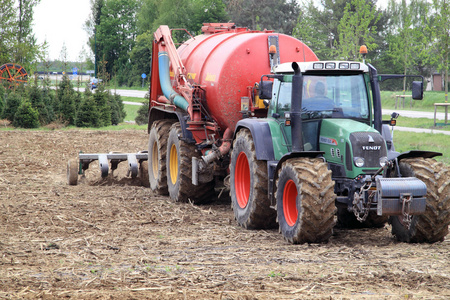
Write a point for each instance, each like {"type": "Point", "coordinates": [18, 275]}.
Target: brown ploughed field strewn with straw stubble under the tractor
{"type": "Point", "coordinates": [113, 239]}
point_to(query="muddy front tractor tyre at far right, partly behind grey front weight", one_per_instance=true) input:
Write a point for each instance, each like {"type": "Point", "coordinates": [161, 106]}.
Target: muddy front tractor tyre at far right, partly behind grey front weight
{"type": "Point", "coordinates": [432, 226]}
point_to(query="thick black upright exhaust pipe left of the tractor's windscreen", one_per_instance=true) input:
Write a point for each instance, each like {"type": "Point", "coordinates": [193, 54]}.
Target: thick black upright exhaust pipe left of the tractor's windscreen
{"type": "Point", "coordinates": [296, 109]}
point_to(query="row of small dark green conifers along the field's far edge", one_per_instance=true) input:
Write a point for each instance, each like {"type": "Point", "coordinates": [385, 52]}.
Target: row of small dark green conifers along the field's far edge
{"type": "Point", "coordinates": [34, 105]}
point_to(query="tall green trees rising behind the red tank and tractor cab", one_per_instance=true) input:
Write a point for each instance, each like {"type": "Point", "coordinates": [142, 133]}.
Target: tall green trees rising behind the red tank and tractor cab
{"type": "Point", "coordinates": [405, 37]}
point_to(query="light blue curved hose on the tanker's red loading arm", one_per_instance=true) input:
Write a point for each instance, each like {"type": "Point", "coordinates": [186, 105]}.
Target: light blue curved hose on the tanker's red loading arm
{"type": "Point", "coordinates": [166, 86]}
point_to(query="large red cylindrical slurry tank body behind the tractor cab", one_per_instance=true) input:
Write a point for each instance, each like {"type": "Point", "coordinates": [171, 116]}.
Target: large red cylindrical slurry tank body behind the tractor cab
{"type": "Point", "coordinates": [227, 62]}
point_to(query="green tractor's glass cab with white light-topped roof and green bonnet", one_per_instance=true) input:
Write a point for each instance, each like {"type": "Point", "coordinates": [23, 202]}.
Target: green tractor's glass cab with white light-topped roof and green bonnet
{"type": "Point", "coordinates": [334, 103]}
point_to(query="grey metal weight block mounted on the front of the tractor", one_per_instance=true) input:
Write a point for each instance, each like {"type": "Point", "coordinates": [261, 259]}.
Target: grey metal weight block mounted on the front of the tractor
{"type": "Point", "coordinates": [397, 196]}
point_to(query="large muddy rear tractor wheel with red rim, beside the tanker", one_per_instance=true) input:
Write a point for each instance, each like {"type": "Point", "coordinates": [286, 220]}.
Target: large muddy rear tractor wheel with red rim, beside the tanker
{"type": "Point", "coordinates": [248, 185]}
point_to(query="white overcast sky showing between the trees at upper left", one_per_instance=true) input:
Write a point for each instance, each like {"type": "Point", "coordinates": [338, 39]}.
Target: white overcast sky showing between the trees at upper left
{"type": "Point", "coordinates": [61, 21]}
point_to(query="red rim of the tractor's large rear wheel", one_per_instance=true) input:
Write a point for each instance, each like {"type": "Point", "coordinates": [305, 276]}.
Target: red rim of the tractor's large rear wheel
{"type": "Point", "coordinates": [242, 180]}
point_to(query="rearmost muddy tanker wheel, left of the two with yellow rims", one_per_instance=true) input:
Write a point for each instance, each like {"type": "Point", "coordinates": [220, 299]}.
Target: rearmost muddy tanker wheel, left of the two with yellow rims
{"type": "Point", "coordinates": [157, 150]}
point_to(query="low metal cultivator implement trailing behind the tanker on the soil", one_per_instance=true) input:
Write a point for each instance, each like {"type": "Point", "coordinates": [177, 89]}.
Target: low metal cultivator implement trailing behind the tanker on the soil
{"type": "Point", "coordinates": [106, 161]}
